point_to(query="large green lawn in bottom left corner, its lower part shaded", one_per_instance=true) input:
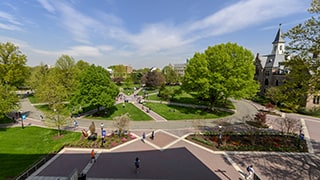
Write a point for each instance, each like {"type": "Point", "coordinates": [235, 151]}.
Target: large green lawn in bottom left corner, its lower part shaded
{"type": "Point", "coordinates": [21, 148]}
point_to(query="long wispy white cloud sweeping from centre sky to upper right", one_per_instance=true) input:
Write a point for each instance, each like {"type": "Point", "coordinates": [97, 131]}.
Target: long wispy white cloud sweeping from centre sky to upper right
{"type": "Point", "coordinates": [163, 36]}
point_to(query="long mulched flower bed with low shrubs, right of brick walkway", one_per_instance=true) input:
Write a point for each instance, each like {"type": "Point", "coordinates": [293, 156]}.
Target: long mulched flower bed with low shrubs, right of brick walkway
{"type": "Point", "coordinates": [245, 142]}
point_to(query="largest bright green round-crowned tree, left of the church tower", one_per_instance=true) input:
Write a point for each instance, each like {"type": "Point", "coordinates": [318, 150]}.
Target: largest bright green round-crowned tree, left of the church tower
{"type": "Point", "coordinates": [221, 72]}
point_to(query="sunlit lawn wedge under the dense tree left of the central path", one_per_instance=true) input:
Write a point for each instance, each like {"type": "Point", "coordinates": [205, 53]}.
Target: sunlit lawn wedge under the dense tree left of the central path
{"type": "Point", "coordinates": [118, 110]}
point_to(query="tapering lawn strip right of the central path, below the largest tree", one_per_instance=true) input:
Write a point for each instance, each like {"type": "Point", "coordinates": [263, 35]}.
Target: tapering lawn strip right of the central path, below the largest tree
{"type": "Point", "coordinates": [171, 112]}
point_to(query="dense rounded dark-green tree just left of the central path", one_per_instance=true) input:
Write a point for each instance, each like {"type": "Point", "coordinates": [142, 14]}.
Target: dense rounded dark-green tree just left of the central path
{"type": "Point", "coordinates": [95, 88]}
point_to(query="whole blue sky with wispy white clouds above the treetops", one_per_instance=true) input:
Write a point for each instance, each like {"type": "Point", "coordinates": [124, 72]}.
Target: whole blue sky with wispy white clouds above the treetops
{"type": "Point", "coordinates": [142, 33]}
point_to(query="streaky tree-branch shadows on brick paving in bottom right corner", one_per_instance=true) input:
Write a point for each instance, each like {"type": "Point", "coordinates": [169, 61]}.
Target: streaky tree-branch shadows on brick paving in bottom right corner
{"type": "Point", "coordinates": [280, 166]}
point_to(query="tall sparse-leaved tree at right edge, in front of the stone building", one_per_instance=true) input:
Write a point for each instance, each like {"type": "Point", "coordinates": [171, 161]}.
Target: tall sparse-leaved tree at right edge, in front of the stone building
{"type": "Point", "coordinates": [304, 64]}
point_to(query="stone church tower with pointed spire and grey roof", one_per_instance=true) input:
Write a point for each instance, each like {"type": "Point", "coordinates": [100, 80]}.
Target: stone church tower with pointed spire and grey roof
{"type": "Point", "coordinates": [270, 70]}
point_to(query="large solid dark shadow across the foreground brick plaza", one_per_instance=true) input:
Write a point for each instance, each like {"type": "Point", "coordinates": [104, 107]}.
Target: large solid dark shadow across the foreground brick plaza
{"type": "Point", "coordinates": [177, 163]}
